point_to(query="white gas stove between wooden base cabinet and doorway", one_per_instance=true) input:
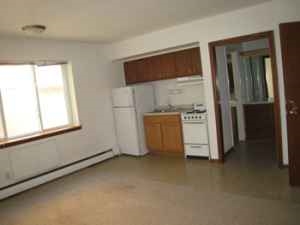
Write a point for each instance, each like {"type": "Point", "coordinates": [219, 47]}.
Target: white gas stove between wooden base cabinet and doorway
{"type": "Point", "coordinates": [195, 133]}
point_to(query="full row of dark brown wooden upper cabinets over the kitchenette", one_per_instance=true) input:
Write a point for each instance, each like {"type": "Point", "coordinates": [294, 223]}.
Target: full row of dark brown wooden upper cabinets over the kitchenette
{"type": "Point", "coordinates": [166, 66]}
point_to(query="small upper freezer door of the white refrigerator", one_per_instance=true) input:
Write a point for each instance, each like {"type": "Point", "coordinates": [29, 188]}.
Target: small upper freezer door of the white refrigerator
{"type": "Point", "coordinates": [123, 97]}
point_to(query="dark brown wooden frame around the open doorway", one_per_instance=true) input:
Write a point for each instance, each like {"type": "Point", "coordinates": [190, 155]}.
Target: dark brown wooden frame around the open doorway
{"type": "Point", "coordinates": [269, 35]}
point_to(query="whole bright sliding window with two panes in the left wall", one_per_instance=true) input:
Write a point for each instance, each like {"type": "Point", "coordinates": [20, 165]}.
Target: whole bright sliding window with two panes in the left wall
{"type": "Point", "coordinates": [34, 99]}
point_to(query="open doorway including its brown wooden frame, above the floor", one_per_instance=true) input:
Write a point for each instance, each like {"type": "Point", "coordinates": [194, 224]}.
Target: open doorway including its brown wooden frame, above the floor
{"type": "Point", "coordinates": [246, 97]}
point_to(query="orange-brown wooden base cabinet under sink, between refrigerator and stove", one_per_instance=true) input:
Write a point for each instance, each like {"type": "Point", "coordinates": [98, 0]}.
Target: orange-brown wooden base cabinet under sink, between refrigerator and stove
{"type": "Point", "coordinates": [163, 133]}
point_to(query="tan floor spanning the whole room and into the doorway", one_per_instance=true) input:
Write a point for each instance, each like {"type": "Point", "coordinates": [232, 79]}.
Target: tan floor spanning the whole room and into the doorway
{"type": "Point", "coordinates": [162, 190]}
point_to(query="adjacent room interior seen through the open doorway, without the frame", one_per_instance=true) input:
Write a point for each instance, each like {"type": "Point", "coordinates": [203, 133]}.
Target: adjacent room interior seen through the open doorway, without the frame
{"type": "Point", "coordinates": [245, 89]}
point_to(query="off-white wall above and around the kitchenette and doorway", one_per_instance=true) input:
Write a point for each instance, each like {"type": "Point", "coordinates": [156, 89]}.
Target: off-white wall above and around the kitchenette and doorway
{"type": "Point", "coordinates": [255, 19]}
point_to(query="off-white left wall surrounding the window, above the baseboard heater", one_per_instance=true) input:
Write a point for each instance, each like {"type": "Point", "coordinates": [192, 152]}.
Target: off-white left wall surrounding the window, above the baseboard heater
{"type": "Point", "coordinates": [94, 76]}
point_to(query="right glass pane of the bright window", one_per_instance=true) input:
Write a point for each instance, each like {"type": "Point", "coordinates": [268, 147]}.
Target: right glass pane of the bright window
{"type": "Point", "coordinates": [53, 103]}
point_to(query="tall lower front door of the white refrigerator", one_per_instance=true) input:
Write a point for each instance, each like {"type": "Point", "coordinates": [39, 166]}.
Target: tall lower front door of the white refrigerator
{"type": "Point", "coordinates": [127, 132]}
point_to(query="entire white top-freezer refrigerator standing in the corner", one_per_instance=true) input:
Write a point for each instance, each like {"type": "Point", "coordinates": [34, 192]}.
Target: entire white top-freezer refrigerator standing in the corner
{"type": "Point", "coordinates": [129, 105]}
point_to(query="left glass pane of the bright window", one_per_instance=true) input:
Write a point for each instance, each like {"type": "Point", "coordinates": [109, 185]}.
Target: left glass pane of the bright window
{"type": "Point", "coordinates": [19, 100]}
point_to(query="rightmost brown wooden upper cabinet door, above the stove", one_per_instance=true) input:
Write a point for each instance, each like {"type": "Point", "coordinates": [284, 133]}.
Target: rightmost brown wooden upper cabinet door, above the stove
{"type": "Point", "coordinates": [188, 62]}
